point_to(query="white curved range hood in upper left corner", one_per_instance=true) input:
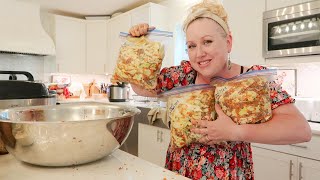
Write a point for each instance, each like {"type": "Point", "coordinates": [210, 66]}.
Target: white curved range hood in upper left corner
{"type": "Point", "coordinates": [21, 30]}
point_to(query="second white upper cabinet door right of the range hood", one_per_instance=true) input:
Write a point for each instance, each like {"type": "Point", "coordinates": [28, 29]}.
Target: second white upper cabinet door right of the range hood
{"type": "Point", "coordinates": [96, 46]}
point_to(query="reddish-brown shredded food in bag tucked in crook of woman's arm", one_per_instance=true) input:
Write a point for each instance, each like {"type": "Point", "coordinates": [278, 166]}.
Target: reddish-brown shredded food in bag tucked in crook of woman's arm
{"type": "Point", "coordinates": [245, 101]}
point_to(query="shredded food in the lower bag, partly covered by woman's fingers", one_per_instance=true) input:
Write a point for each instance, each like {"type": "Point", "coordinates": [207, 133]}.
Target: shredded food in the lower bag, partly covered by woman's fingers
{"type": "Point", "coordinates": [184, 107]}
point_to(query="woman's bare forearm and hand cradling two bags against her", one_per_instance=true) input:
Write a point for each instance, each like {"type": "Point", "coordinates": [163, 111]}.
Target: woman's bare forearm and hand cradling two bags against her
{"type": "Point", "coordinates": [287, 126]}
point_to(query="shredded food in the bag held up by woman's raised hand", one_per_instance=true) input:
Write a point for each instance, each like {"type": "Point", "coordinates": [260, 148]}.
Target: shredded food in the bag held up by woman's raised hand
{"type": "Point", "coordinates": [139, 62]}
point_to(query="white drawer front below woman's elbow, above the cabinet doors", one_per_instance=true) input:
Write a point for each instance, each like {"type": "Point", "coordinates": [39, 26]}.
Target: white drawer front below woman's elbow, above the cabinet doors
{"type": "Point", "coordinates": [308, 150]}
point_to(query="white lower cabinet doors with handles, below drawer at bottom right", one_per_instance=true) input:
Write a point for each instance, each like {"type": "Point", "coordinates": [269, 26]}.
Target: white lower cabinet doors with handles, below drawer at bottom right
{"type": "Point", "coordinates": [270, 164]}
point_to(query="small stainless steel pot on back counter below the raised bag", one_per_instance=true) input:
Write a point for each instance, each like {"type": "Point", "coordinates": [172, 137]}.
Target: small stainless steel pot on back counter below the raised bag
{"type": "Point", "coordinates": [119, 92]}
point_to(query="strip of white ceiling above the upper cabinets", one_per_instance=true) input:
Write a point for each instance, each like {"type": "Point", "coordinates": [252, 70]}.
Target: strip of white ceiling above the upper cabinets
{"type": "Point", "coordinates": [81, 8]}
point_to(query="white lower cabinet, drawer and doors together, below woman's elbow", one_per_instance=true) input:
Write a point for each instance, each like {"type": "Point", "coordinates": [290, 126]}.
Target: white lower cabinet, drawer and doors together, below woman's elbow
{"type": "Point", "coordinates": [295, 162]}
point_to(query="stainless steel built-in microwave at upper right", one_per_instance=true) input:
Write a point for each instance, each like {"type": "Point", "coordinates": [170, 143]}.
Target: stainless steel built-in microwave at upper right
{"type": "Point", "coordinates": [292, 30]}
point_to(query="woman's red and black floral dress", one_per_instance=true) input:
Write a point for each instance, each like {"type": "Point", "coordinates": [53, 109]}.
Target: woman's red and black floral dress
{"type": "Point", "coordinates": [198, 161]}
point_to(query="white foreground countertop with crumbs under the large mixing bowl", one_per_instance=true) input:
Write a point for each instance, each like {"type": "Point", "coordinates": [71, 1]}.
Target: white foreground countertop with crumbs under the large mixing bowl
{"type": "Point", "coordinates": [117, 166]}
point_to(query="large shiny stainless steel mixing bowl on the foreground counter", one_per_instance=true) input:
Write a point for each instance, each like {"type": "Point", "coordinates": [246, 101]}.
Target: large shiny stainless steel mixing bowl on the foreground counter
{"type": "Point", "coordinates": [67, 134]}
